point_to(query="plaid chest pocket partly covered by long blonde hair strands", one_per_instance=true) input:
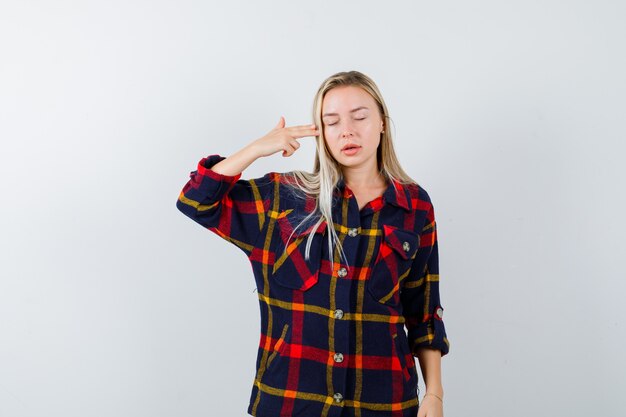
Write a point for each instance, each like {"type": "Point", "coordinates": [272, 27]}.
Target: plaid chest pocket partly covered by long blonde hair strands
{"type": "Point", "coordinates": [291, 269]}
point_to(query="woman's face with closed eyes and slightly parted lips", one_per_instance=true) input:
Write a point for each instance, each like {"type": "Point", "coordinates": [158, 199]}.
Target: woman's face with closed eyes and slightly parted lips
{"type": "Point", "coordinates": [350, 117]}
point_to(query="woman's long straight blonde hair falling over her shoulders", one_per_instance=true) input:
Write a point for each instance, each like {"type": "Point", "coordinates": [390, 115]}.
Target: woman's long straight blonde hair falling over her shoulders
{"type": "Point", "coordinates": [327, 172]}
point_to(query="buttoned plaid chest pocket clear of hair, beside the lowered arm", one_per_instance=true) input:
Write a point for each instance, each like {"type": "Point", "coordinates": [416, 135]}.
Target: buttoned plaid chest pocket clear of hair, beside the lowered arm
{"type": "Point", "coordinates": [396, 252]}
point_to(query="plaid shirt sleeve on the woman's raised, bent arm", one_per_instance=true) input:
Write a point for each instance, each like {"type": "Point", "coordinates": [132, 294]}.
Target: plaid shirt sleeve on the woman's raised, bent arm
{"type": "Point", "coordinates": [233, 208]}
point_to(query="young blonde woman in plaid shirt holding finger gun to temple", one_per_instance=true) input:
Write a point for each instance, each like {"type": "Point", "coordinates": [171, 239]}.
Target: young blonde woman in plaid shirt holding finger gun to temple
{"type": "Point", "coordinates": [343, 258]}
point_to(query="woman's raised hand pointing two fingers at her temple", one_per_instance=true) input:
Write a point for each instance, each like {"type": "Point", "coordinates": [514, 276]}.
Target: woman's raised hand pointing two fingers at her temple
{"type": "Point", "coordinates": [282, 138]}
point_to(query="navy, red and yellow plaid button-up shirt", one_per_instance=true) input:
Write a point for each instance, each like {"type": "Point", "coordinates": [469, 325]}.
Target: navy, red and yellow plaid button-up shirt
{"type": "Point", "coordinates": [332, 334]}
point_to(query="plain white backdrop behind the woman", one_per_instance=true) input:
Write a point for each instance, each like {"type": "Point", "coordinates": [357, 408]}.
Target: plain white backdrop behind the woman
{"type": "Point", "coordinates": [510, 113]}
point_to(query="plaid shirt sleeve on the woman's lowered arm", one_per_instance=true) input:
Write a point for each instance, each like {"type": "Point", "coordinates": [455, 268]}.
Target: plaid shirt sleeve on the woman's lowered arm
{"type": "Point", "coordinates": [421, 304]}
